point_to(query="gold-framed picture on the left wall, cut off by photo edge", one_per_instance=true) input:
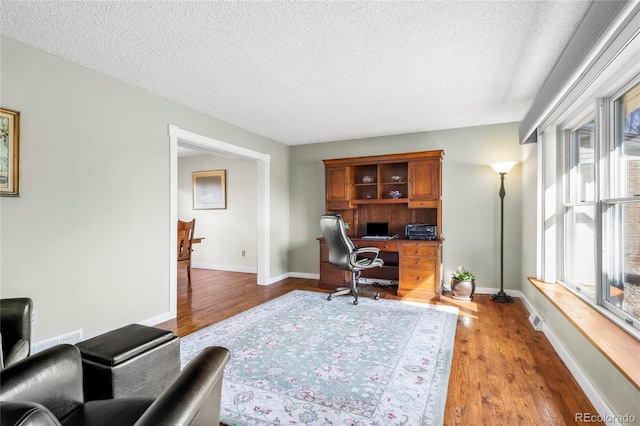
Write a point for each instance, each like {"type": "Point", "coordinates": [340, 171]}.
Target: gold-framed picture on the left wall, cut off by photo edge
{"type": "Point", "coordinates": [9, 150]}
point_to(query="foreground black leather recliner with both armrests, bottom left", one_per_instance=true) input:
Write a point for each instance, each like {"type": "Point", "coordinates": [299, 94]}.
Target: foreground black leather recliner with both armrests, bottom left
{"type": "Point", "coordinates": [46, 389]}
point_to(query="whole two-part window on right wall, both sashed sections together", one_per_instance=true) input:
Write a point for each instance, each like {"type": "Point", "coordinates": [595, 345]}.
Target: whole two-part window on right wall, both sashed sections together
{"type": "Point", "coordinates": [601, 205]}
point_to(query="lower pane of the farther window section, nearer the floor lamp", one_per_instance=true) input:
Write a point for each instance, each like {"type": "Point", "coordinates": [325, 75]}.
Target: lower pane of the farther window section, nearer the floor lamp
{"type": "Point", "coordinates": [579, 262]}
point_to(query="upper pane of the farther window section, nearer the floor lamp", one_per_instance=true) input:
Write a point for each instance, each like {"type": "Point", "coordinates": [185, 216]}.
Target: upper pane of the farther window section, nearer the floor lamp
{"type": "Point", "coordinates": [582, 166]}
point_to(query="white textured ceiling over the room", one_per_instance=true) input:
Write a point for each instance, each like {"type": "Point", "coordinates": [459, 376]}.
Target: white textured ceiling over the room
{"type": "Point", "coordinates": [304, 72]}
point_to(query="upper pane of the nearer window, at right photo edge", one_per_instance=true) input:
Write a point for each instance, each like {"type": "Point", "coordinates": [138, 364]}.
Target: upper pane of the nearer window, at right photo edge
{"type": "Point", "coordinates": [627, 145]}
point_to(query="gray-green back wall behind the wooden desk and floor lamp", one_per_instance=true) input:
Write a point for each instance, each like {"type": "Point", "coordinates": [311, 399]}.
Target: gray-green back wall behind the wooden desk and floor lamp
{"type": "Point", "coordinates": [471, 205]}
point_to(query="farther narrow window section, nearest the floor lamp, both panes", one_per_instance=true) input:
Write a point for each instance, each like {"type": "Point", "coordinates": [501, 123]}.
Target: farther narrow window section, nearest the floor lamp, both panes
{"type": "Point", "coordinates": [579, 210]}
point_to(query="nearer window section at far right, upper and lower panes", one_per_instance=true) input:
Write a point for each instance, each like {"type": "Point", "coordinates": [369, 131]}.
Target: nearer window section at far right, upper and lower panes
{"type": "Point", "coordinates": [621, 209]}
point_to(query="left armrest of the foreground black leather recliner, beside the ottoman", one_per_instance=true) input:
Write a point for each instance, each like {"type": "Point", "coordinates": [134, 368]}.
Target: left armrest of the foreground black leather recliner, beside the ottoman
{"type": "Point", "coordinates": [52, 378]}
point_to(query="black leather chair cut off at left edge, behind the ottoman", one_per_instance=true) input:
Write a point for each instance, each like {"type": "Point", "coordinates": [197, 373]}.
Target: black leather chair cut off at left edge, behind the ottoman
{"type": "Point", "coordinates": [15, 328]}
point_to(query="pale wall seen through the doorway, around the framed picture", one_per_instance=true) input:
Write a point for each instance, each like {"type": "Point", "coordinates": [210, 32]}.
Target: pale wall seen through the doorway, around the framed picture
{"type": "Point", "coordinates": [229, 231]}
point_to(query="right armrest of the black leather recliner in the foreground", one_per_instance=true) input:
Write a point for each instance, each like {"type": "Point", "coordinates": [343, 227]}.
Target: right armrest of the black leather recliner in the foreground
{"type": "Point", "coordinates": [194, 397]}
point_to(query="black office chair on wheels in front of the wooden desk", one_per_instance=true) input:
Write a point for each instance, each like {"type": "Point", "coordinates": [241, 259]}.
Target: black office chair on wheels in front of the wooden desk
{"type": "Point", "coordinates": [343, 254]}
